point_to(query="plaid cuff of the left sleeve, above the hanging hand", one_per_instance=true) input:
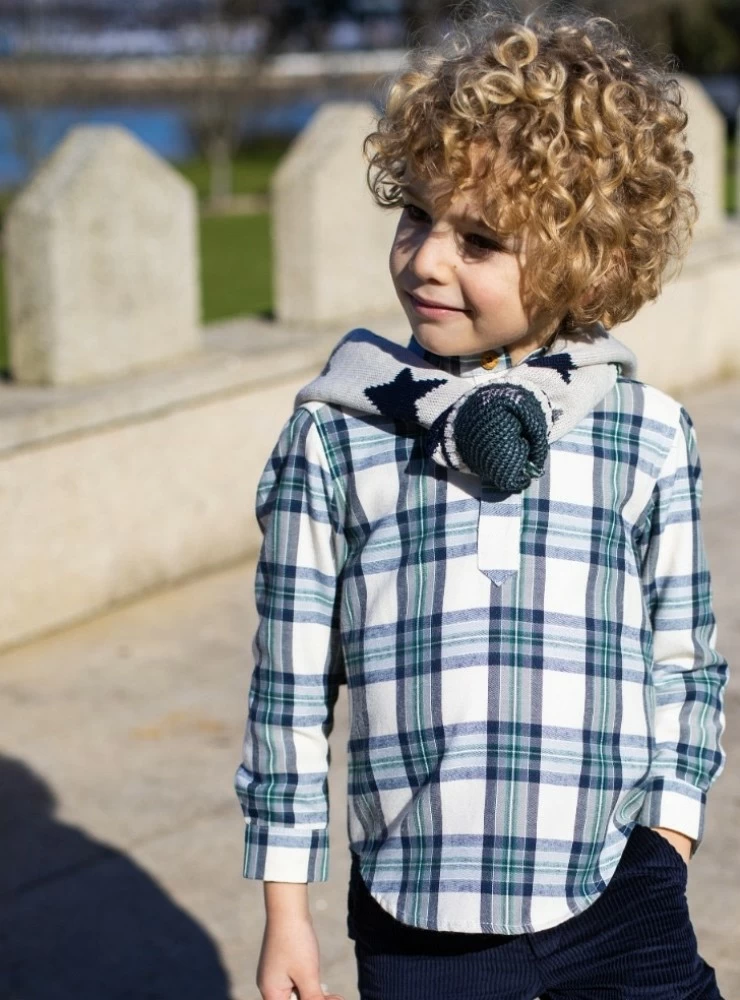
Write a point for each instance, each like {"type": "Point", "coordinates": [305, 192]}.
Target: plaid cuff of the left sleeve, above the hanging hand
{"type": "Point", "coordinates": [286, 853]}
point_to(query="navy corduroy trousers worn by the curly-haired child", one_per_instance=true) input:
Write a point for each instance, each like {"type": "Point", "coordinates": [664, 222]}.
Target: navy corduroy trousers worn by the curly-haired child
{"type": "Point", "coordinates": [636, 942]}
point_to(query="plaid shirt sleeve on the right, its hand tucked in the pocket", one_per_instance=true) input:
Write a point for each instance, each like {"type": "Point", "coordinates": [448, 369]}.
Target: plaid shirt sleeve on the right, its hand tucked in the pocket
{"type": "Point", "coordinates": [688, 674]}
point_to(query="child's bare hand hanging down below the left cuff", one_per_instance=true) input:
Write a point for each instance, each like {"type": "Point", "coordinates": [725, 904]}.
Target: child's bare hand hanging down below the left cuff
{"type": "Point", "coordinates": [289, 961]}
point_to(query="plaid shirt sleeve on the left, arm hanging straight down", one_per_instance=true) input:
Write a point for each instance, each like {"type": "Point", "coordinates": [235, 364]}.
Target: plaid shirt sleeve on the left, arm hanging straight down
{"type": "Point", "coordinates": [282, 781]}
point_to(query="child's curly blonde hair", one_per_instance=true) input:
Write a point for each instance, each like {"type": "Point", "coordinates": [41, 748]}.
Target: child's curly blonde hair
{"type": "Point", "coordinates": [586, 153]}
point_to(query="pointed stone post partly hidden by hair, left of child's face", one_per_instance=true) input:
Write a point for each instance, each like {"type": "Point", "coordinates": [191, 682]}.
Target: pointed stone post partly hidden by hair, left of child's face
{"type": "Point", "coordinates": [330, 240]}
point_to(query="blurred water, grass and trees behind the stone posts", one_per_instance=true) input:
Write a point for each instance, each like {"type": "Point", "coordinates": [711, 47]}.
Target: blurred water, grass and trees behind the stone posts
{"type": "Point", "coordinates": [220, 87]}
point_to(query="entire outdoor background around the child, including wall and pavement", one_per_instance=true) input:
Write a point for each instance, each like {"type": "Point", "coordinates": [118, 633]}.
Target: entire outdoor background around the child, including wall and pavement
{"type": "Point", "coordinates": [153, 335]}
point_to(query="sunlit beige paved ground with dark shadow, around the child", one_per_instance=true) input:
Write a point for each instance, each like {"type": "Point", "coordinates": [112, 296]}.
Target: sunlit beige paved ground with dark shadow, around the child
{"type": "Point", "coordinates": [120, 836]}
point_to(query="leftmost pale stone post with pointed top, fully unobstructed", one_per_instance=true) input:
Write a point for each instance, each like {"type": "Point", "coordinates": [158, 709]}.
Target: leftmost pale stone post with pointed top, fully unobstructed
{"type": "Point", "coordinates": [102, 267]}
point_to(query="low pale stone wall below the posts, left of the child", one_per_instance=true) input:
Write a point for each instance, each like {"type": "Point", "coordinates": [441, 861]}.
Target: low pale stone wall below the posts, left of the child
{"type": "Point", "coordinates": [111, 491]}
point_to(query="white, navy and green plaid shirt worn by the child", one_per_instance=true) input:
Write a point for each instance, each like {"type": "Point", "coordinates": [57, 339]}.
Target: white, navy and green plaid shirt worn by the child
{"type": "Point", "coordinates": [505, 735]}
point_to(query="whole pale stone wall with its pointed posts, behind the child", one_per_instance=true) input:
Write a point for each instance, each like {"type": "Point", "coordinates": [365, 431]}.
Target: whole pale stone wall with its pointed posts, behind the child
{"type": "Point", "coordinates": [132, 439]}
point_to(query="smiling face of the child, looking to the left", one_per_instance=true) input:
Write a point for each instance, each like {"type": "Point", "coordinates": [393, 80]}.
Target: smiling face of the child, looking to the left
{"type": "Point", "coordinates": [457, 263]}
